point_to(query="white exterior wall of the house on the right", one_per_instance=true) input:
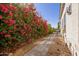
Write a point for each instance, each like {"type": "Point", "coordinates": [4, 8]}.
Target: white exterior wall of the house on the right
{"type": "Point", "coordinates": [71, 32]}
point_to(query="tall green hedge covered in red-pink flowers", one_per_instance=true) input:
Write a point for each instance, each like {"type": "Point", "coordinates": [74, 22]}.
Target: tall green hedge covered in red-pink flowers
{"type": "Point", "coordinates": [19, 24]}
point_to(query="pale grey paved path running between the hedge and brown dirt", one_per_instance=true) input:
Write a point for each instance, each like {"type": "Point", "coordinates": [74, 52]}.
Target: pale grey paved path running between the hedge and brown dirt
{"type": "Point", "coordinates": [42, 47]}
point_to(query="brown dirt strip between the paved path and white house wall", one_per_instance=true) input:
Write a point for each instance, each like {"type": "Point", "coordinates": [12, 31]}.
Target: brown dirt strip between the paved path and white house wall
{"type": "Point", "coordinates": [58, 48]}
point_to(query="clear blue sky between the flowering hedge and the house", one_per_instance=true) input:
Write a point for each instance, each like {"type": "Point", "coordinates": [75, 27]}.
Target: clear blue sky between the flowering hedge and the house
{"type": "Point", "coordinates": [49, 11]}
